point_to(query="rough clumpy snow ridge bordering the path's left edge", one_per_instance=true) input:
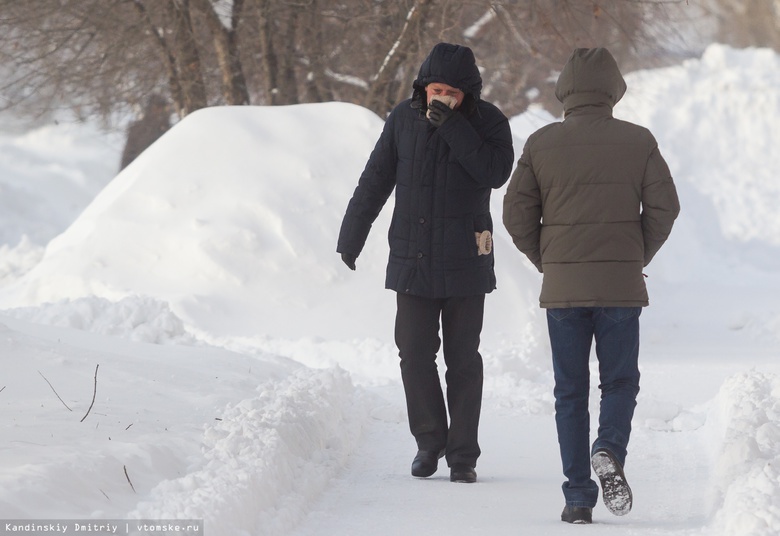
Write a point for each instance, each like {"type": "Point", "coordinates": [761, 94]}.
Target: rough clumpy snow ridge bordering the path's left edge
{"type": "Point", "coordinates": [267, 458]}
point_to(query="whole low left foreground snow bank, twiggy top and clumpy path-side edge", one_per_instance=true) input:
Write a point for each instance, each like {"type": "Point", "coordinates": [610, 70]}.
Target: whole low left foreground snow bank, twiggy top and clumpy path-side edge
{"type": "Point", "coordinates": [174, 432]}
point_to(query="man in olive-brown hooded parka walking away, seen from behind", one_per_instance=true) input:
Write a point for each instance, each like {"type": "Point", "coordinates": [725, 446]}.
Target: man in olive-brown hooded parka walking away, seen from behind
{"type": "Point", "coordinates": [590, 204]}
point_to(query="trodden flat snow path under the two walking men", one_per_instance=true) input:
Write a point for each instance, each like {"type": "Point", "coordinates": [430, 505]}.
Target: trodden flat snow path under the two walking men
{"type": "Point", "coordinates": [519, 478]}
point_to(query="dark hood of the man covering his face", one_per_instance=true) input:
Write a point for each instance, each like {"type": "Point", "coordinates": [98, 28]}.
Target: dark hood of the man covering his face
{"type": "Point", "coordinates": [453, 65]}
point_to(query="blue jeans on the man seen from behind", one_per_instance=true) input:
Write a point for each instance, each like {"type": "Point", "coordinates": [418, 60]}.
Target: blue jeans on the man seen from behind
{"type": "Point", "coordinates": [572, 330]}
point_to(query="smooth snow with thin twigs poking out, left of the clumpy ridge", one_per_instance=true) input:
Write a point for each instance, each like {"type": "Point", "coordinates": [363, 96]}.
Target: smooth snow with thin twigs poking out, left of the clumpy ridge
{"type": "Point", "coordinates": [94, 423]}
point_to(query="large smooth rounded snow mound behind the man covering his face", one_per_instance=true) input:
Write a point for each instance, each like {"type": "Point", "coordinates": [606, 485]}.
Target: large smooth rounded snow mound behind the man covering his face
{"type": "Point", "coordinates": [232, 218]}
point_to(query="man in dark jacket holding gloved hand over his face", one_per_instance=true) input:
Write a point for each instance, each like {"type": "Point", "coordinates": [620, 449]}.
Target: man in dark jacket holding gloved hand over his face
{"type": "Point", "coordinates": [442, 151]}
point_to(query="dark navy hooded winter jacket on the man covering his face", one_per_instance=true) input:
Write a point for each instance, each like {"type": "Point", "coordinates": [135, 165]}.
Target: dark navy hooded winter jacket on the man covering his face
{"type": "Point", "coordinates": [443, 180]}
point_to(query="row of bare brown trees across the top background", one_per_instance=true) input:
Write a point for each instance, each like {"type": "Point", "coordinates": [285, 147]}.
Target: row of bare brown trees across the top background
{"type": "Point", "coordinates": [99, 57]}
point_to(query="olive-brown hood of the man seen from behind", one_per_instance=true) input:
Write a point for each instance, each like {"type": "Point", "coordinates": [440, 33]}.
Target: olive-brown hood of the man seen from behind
{"type": "Point", "coordinates": [590, 76]}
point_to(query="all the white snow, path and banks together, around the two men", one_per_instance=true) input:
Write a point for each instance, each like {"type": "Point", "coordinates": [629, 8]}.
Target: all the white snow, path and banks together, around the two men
{"type": "Point", "coordinates": [182, 341]}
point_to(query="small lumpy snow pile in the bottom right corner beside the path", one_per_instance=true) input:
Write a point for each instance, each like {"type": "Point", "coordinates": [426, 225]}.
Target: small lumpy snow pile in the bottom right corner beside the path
{"type": "Point", "coordinates": [747, 471]}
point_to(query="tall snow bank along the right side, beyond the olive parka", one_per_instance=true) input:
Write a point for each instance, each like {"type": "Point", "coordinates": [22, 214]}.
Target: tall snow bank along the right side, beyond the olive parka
{"type": "Point", "coordinates": [716, 120]}
